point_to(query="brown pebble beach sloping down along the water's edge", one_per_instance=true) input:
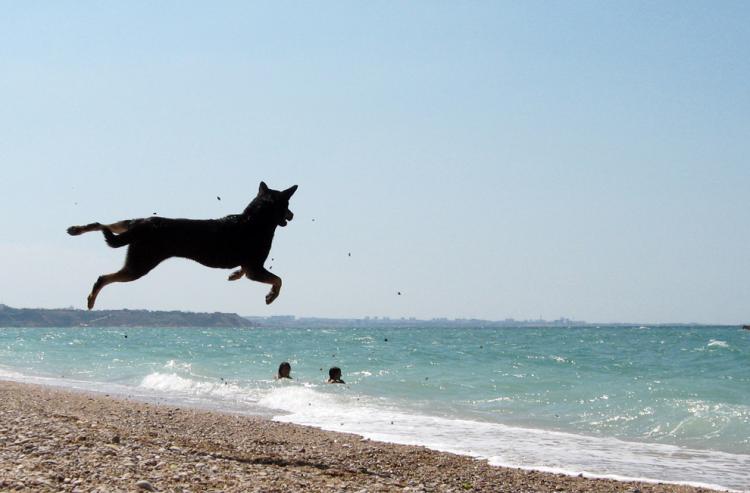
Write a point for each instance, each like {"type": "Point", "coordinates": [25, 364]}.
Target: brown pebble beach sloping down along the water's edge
{"type": "Point", "coordinates": [54, 439]}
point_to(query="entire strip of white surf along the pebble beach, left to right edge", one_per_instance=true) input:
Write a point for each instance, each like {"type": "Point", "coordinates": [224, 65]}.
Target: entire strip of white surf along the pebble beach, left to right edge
{"type": "Point", "coordinates": [338, 408]}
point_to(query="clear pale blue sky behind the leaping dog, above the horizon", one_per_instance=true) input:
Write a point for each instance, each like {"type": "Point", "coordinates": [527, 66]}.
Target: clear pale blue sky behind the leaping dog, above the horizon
{"type": "Point", "coordinates": [486, 159]}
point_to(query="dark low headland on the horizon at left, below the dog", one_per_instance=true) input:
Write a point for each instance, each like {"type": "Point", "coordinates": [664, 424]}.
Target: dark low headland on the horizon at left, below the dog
{"type": "Point", "coordinates": [68, 317]}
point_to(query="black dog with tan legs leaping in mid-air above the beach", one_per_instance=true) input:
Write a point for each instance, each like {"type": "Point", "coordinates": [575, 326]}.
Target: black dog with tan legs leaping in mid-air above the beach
{"type": "Point", "coordinates": [239, 240]}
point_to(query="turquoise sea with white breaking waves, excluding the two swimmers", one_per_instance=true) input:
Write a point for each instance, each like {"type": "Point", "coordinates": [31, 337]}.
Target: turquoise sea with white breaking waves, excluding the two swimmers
{"type": "Point", "coordinates": [657, 403]}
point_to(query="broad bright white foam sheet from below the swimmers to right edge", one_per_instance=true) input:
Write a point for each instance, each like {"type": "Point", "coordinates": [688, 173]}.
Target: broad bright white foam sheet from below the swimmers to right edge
{"type": "Point", "coordinates": [339, 410]}
